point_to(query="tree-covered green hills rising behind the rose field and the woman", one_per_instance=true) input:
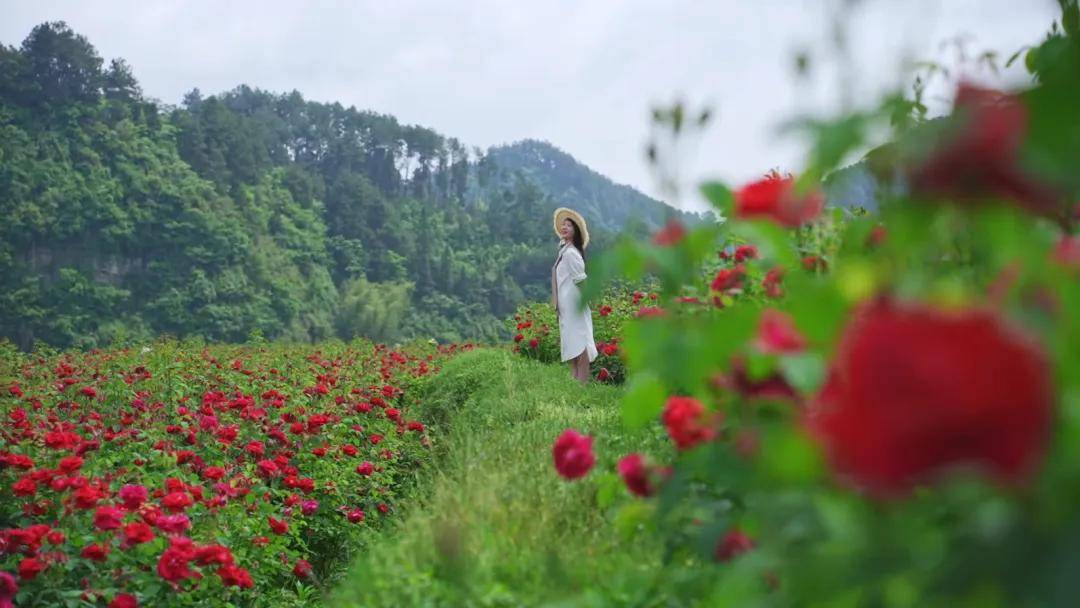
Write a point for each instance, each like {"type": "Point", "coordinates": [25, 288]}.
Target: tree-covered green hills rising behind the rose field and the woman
{"type": "Point", "coordinates": [259, 213]}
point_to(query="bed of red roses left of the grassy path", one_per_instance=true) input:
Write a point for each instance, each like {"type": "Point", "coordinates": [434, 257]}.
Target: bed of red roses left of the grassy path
{"type": "Point", "coordinates": [183, 476]}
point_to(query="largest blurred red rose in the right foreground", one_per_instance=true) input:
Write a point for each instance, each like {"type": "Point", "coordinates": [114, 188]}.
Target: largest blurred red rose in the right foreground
{"type": "Point", "coordinates": [914, 390]}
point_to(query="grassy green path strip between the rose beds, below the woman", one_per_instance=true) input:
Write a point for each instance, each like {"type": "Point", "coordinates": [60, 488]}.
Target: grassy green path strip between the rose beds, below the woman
{"type": "Point", "coordinates": [493, 524]}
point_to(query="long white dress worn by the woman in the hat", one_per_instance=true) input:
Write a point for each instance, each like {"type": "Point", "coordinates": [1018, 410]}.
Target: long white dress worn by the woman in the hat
{"type": "Point", "coordinates": [575, 327]}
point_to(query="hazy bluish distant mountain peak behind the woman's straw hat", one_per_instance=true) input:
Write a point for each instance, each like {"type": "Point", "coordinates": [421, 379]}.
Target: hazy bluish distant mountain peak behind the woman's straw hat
{"type": "Point", "coordinates": [569, 183]}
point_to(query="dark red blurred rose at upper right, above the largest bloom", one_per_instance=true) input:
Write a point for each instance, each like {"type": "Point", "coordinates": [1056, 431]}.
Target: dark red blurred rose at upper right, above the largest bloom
{"type": "Point", "coordinates": [980, 158]}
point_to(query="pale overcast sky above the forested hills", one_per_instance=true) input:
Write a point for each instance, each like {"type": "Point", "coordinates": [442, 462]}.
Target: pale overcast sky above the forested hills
{"type": "Point", "coordinates": [580, 74]}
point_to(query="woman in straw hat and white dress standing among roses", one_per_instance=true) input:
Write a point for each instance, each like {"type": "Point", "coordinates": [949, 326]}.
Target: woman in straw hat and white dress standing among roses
{"type": "Point", "coordinates": [575, 326]}
